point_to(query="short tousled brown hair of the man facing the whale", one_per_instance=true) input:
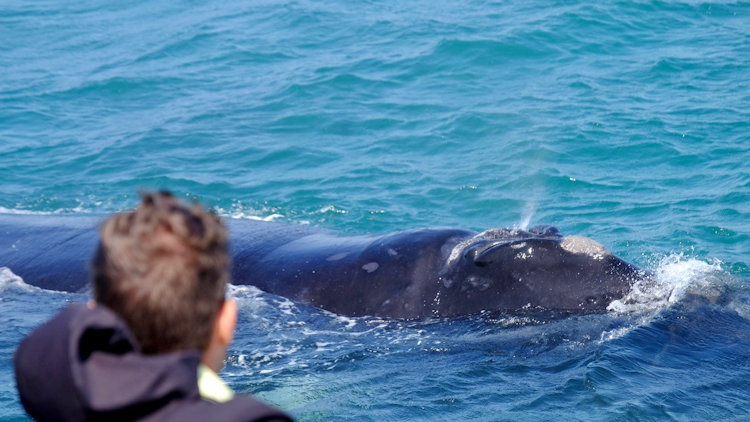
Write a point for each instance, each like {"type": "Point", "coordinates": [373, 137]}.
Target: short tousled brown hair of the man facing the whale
{"type": "Point", "coordinates": [163, 268]}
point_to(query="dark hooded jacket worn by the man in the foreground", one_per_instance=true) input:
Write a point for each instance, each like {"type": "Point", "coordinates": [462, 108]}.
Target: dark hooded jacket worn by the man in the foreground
{"type": "Point", "coordinates": [84, 365]}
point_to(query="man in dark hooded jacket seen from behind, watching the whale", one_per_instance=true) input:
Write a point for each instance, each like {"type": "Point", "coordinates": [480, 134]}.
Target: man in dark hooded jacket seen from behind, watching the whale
{"type": "Point", "coordinates": [150, 343]}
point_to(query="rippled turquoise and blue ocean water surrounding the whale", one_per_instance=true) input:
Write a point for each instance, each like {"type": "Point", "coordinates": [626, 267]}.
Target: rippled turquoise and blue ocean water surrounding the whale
{"type": "Point", "coordinates": [628, 122]}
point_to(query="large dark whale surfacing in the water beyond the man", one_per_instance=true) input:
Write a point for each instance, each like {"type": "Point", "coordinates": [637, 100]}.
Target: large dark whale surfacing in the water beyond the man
{"type": "Point", "coordinates": [418, 273]}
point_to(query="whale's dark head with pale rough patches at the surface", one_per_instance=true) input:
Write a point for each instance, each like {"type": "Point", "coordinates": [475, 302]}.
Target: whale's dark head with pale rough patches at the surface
{"type": "Point", "coordinates": [538, 269]}
